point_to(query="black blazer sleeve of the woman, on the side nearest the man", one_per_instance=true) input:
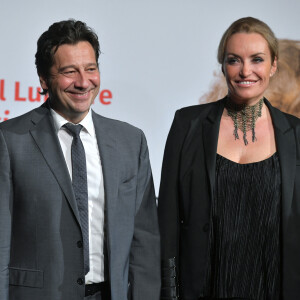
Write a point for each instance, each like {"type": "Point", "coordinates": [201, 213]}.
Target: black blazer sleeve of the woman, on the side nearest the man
{"type": "Point", "coordinates": [168, 208]}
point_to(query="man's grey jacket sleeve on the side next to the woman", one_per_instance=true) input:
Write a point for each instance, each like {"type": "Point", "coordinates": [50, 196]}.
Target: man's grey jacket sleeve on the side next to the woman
{"type": "Point", "coordinates": [144, 264]}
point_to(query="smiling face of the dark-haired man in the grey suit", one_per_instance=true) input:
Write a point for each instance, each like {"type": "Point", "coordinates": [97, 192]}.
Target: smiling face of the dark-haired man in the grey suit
{"type": "Point", "coordinates": [74, 82]}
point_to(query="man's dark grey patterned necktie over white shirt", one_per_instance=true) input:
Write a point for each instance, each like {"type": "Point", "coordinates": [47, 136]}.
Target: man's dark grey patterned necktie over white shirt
{"type": "Point", "coordinates": [79, 182]}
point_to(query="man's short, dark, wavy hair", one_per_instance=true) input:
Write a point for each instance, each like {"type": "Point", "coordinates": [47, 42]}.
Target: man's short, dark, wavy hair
{"type": "Point", "coordinates": [59, 33]}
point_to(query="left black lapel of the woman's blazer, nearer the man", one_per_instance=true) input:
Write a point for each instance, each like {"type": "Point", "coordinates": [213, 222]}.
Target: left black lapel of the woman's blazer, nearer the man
{"type": "Point", "coordinates": [210, 140]}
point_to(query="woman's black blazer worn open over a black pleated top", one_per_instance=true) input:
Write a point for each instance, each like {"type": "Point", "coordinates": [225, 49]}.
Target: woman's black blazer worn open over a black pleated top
{"type": "Point", "coordinates": [187, 187]}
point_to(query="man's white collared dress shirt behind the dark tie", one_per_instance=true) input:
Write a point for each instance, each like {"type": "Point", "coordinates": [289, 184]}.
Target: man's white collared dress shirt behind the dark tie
{"type": "Point", "coordinates": [95, 189]}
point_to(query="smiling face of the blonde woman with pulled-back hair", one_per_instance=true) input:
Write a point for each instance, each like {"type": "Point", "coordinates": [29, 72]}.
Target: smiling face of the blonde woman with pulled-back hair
{"type": "Point", "coordinates": [247, 67]}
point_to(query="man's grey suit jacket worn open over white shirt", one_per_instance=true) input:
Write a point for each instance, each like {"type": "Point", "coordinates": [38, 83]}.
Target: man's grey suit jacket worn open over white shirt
{"type": "Point", "coordinates": [40, 257]}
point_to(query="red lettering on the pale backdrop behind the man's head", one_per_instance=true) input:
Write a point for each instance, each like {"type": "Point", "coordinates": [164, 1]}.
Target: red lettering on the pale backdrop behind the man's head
{"type": "Point", "coordinates": [32, 95]}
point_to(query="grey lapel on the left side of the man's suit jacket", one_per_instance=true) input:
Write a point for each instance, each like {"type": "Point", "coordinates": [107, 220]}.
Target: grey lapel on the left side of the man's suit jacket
{"type": "Point", "coordinates": [47, 141]}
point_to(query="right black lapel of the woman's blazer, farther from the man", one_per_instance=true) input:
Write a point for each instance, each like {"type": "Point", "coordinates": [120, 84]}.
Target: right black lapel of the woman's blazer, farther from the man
{"type": "Point", "coordinates": [286, 148]}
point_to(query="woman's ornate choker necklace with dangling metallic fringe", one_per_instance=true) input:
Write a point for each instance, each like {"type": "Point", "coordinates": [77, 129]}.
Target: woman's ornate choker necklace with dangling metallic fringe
{"type": "Point", "coordinates": [244, 117]}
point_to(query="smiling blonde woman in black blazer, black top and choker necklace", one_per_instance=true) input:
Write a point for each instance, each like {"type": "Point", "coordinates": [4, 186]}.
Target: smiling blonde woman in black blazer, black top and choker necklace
{"type": "Point", "coordinates": [229, 203]}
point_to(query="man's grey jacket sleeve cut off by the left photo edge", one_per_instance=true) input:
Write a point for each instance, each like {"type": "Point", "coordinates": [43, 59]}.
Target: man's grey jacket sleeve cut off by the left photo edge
{"type": "Point", "coordinates": [5, 217]}
